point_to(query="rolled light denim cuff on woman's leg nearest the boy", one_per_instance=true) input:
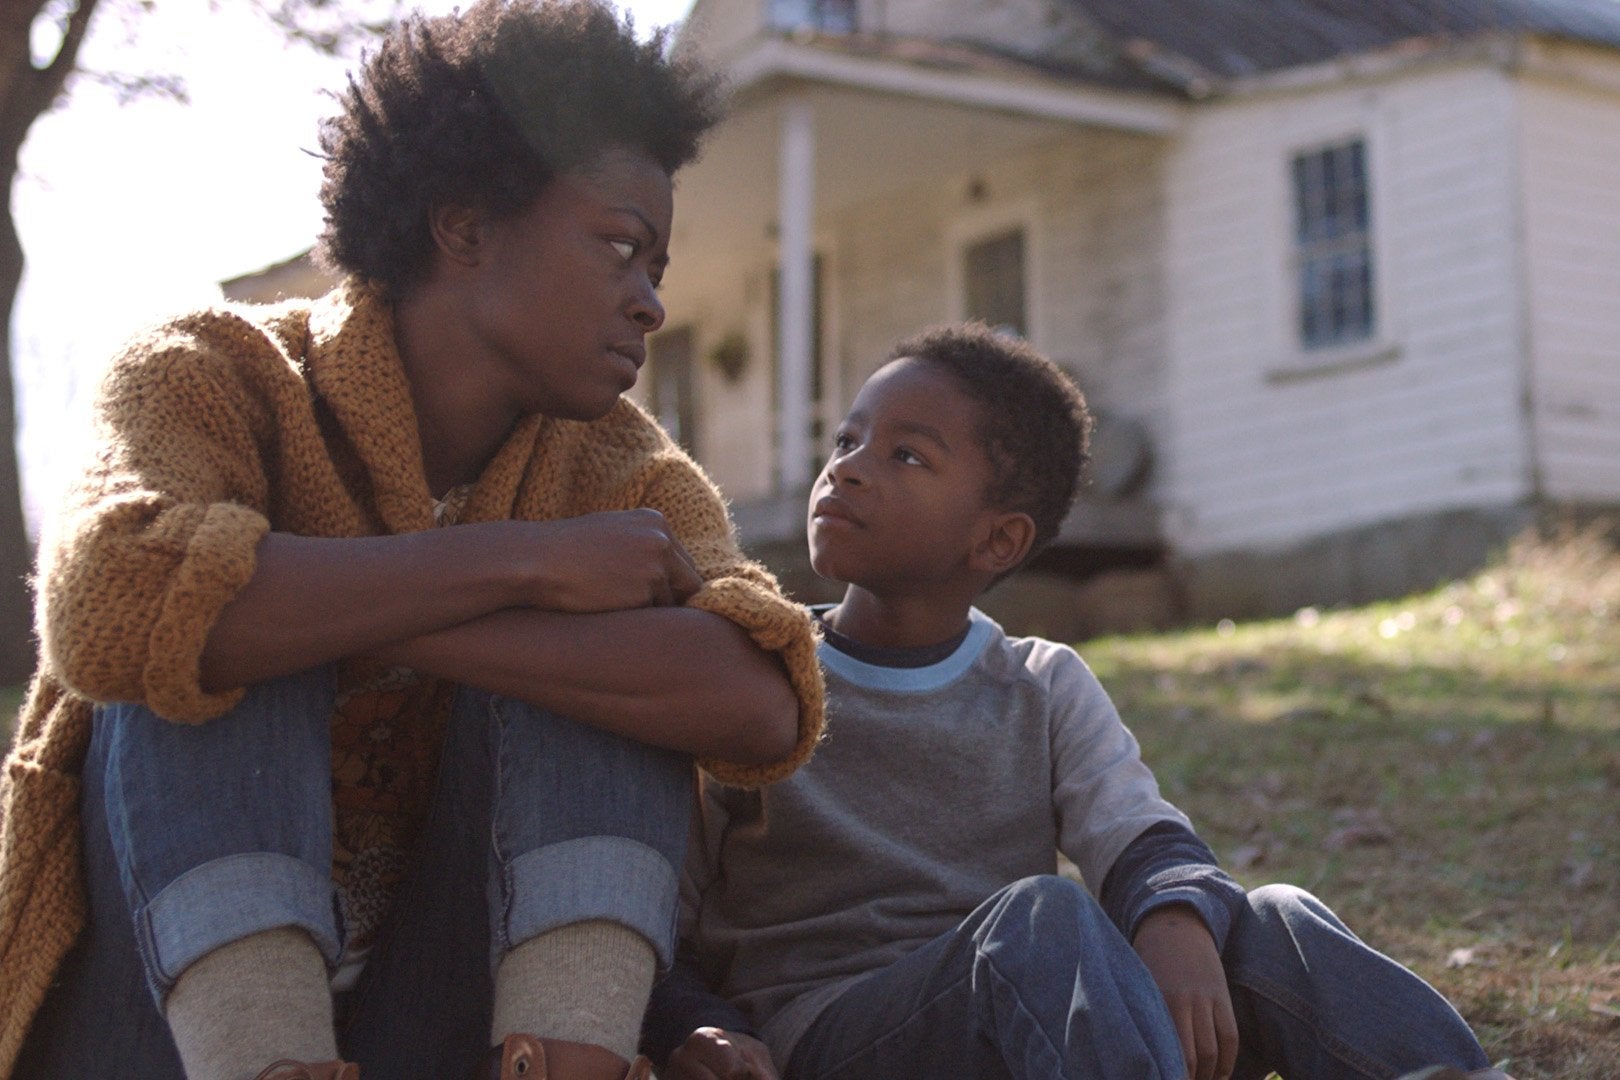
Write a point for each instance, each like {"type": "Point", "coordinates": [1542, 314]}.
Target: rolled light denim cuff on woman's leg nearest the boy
{"type": "Point", "coordinates": [589, 878]}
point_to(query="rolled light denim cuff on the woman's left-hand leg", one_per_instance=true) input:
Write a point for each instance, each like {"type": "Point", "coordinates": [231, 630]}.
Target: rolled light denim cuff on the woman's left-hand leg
{"type": "Point", "coordinates": [229, 899]}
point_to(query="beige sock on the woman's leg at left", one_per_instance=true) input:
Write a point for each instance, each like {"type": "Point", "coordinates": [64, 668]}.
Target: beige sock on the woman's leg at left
{"type": "Point", "coordinates": [254, 1003]}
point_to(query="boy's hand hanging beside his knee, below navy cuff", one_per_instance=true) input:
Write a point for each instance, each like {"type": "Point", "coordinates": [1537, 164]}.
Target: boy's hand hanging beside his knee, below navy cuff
{"type": "Point", "coordinates": [1180, 953]}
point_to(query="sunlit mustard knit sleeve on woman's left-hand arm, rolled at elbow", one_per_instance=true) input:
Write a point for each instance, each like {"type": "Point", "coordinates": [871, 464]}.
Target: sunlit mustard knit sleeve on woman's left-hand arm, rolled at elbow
{"type": "Point", "coordinates": [163, 529]}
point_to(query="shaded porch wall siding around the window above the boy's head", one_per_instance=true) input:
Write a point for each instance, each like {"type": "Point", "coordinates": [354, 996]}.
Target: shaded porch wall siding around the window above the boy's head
{"type": "Point", "coordinates": [1094, 206]}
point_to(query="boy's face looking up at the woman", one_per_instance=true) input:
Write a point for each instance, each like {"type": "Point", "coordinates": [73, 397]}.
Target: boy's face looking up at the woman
{"type": "Point", "coordinates": [902, 503]}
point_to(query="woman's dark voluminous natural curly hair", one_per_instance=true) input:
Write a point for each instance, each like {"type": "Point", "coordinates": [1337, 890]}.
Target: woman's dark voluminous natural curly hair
{"type": "Point", "coordinates": [484, 109]}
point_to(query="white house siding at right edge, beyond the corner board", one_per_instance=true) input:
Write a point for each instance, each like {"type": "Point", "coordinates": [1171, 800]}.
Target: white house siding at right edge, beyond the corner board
{"type": "Point", "coordinates": [1571, 169]}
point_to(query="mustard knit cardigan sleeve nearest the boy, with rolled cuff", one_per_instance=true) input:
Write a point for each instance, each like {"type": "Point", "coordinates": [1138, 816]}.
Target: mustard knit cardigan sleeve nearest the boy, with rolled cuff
{"type": "Point", "coordinates": [748, 595]}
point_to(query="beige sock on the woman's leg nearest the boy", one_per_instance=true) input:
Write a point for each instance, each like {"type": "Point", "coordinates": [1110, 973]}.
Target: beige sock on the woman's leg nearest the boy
{"type": "Point", "coordinates": [584, 984]}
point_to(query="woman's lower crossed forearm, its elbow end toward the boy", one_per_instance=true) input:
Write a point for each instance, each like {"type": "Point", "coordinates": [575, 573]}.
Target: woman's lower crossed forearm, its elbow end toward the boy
{"type": "Point", "coordinates": [675, 678]}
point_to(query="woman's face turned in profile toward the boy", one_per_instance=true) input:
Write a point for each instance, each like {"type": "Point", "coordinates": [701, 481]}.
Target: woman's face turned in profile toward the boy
{"type": "Point", "coordinates": [566, 291]}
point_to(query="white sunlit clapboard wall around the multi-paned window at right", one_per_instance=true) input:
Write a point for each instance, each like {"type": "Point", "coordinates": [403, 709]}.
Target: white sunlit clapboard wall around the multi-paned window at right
{"type": "Point", "coordinates": [1269, 448]}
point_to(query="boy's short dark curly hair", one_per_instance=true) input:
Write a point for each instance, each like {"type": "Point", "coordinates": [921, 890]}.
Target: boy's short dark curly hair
{"type": "Point", "coordinates": [1036, 423]}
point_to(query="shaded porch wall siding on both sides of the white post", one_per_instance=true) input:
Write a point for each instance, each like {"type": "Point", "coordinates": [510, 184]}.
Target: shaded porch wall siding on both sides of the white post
{"type": "Point", "coordinates": [1094, 206]}
